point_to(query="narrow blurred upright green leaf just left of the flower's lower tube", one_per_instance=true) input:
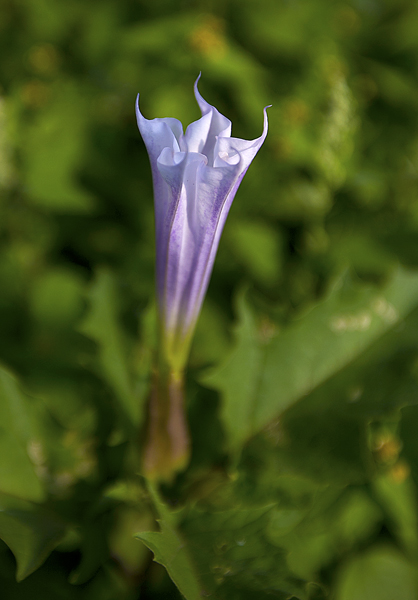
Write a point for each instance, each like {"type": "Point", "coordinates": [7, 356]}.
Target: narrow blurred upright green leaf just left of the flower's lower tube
{"type": "Point", "coordinates": [102, 324]}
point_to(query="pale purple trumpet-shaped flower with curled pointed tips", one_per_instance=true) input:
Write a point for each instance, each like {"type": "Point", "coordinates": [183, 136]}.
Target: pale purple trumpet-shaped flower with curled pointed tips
{"type": "Point", "coordinates": [196, 175]}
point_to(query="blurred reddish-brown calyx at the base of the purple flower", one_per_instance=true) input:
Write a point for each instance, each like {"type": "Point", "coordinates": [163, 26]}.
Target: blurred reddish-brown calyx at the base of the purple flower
{"type": "Point", "coordinates": [167, 445]}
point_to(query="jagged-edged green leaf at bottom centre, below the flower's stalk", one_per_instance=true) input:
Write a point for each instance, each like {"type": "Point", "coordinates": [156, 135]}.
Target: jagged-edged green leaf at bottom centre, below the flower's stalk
{"type": "Point", "coordinates": [225, 554]}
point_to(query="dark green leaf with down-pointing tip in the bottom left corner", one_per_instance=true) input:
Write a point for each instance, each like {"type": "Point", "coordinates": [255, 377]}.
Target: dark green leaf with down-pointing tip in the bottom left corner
{"type": "Point", "coordinates": [31, 533]}
